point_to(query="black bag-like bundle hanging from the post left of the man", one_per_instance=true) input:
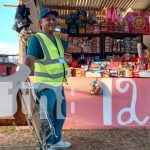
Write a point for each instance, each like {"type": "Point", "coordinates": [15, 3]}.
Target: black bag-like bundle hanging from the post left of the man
{"type": "Point", "coordinates": [21, 18]}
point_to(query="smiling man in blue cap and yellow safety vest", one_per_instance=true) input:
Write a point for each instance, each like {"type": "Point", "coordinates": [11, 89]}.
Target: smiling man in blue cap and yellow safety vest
{"type": "Point", "coordinates": [45, 57]}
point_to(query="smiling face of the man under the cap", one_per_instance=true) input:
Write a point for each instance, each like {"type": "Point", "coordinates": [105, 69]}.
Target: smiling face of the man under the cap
{"type": "Point", "coordinates": [48, 23]}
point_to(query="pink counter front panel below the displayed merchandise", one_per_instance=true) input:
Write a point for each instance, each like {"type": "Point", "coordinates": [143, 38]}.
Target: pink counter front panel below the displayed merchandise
{"type": "Point", "coordinates": [125, 102]}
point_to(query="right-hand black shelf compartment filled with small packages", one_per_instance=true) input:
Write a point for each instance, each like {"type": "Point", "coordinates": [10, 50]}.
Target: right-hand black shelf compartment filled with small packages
{"type": "Point", "coordinates": [119, 43]}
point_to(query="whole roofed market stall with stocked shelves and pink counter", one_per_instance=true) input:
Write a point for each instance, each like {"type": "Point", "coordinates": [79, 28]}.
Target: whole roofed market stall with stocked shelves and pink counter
{"type": "Point", "coordinates": [106, 85]}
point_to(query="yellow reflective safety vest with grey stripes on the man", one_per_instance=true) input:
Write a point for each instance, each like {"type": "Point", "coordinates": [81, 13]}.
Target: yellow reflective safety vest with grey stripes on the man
{"type": "Point", "coordinates": [52, 69]}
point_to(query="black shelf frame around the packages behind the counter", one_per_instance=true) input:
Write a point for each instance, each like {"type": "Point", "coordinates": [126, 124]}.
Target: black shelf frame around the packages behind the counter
{"type": "Point", "coordinates": [102, 37]}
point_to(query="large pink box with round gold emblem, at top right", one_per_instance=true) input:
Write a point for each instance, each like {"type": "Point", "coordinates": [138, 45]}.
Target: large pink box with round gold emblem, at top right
{"type": "Point", "coordinates": [138, 22]}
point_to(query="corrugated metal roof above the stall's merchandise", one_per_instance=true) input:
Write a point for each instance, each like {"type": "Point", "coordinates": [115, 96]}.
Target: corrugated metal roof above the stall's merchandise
{"type": "Point", "coordinates": [63, 6]}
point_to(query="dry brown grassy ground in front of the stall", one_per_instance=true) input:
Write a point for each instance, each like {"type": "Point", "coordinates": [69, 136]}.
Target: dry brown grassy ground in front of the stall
{"type": "Point", "coordinates": [113, 139]}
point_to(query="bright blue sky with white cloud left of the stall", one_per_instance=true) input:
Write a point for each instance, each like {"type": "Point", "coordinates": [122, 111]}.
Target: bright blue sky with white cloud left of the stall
{"type": "Point", "coordinates": [8, 37]}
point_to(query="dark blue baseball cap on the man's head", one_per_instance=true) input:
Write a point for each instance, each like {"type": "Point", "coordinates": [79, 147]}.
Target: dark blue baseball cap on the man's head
{"type": "Point", "coordinates": [47, 11]}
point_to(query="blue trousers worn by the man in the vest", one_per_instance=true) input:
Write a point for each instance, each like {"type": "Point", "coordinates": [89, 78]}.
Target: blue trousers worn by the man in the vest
{"type": "Point", "coordinates": [56, 108]}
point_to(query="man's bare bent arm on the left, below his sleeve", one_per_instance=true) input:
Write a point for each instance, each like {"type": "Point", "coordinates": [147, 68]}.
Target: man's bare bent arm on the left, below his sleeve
{"type": "Point", "coordinates": [29, 61]}
